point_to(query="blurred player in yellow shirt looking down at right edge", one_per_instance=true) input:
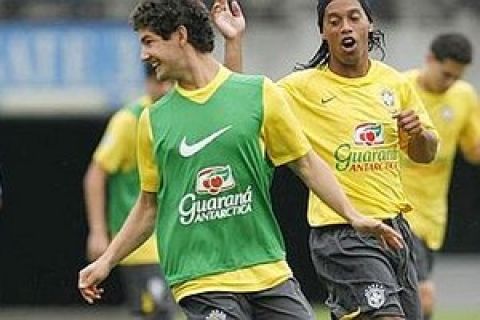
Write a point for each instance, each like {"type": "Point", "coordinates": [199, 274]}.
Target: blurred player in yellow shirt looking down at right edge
{"type": "Point", "coordinates": [453, 107]}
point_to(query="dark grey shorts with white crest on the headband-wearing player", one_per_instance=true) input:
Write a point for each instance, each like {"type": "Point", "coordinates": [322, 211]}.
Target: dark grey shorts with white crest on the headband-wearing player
{"type": "Point", "coordinates": [363, 277]}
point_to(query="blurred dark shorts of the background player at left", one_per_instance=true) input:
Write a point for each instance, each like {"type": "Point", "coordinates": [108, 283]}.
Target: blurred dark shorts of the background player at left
{"type": "Point", "coordinates": [148, 294]}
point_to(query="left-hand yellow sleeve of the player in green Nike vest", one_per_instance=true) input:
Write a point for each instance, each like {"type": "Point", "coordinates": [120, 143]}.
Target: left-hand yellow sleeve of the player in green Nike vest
{"type": "Point", "coordinates": [147, 168]}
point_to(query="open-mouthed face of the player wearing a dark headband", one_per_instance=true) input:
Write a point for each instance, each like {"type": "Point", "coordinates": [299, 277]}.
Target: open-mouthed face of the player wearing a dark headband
{"type": "Point", "coordinates": [346, 28]}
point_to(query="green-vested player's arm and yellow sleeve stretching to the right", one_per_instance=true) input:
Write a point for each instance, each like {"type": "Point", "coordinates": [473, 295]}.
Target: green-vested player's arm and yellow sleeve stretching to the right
{"type": "Point", "coordinates": [286, 144]}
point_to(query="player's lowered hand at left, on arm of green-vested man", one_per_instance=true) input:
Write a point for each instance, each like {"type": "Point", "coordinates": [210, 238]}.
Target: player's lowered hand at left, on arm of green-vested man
{"type": "Point", "coordinates": [90, 277]}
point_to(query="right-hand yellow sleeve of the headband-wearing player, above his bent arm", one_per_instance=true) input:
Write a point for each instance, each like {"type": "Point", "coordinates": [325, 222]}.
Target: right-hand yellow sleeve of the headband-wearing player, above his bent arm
{"type": "Point", "coordinates": [412, 101]}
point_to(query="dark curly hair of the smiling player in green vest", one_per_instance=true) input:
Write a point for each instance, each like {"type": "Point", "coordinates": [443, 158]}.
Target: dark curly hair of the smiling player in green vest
{"type": "Point", "coordinates": [163, 17]}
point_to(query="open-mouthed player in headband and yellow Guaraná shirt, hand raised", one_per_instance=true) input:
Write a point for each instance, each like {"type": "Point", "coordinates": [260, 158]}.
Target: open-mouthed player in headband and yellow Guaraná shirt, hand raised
{"type": "Point", "coordinates": [359, 114]}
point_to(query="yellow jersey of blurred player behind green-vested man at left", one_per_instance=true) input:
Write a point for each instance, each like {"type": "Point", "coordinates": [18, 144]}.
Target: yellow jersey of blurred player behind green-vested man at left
{"type": "Point", "coordinates": [115, 154]}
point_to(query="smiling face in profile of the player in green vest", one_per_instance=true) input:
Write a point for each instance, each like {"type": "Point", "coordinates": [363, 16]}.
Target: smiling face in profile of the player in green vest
{"type": "Point", "coordinates": [165, 55]}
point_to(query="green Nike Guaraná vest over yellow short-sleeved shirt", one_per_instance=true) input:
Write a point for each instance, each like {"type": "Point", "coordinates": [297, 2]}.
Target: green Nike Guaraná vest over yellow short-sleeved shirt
{"type": "Point", "coordinates": [209, 155]}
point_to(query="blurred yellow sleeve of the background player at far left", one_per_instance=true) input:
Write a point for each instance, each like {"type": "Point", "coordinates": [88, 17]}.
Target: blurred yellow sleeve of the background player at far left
{"type": "Point", "coordinates": [114, 151]}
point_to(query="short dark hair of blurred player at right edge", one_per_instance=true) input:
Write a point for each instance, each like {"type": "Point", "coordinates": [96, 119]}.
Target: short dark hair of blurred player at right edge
{"type": "Point", "coordinates": [453, 46]}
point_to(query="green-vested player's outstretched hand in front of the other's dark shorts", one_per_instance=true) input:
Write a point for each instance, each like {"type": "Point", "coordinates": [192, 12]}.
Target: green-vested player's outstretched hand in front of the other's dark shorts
{"type": "Point", "coordinates": [387, 236]}
